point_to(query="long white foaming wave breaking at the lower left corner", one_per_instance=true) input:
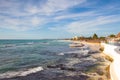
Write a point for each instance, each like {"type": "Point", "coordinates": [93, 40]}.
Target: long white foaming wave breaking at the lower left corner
{"type": "Point", "coordinates": [20, 73]}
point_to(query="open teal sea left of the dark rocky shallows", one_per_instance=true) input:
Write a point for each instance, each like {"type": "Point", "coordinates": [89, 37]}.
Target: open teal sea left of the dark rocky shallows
{"type": "Point", "coordinates": [18, 56]}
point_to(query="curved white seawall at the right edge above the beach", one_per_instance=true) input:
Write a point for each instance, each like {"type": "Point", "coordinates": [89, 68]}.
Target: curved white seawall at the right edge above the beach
{"type": "Point", "coordinates": [113, 52]}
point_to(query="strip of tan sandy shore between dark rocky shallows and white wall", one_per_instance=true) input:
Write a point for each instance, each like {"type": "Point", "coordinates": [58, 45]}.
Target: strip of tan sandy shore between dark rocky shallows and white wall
{"type": "Point", "coordinates": [95, 46]}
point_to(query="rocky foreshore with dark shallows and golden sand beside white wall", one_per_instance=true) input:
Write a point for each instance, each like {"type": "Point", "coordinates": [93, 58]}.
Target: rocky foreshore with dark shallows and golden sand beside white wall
{"type": "Point", "coordinates": [78, 65]}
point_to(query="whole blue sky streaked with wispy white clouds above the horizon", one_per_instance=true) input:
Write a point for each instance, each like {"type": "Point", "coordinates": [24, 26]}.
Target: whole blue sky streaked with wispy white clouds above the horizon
{"type": "Point", "coordinates": [48, 19]}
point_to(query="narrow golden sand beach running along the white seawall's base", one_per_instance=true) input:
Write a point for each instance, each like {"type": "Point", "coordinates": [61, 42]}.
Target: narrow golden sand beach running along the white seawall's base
{"type": "Point", "coordinates": [95, 46]}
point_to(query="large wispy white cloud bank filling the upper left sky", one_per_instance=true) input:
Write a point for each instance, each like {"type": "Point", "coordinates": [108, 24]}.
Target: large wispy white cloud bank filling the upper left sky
{"type": "Point", "coordinates": [22, 16]}
